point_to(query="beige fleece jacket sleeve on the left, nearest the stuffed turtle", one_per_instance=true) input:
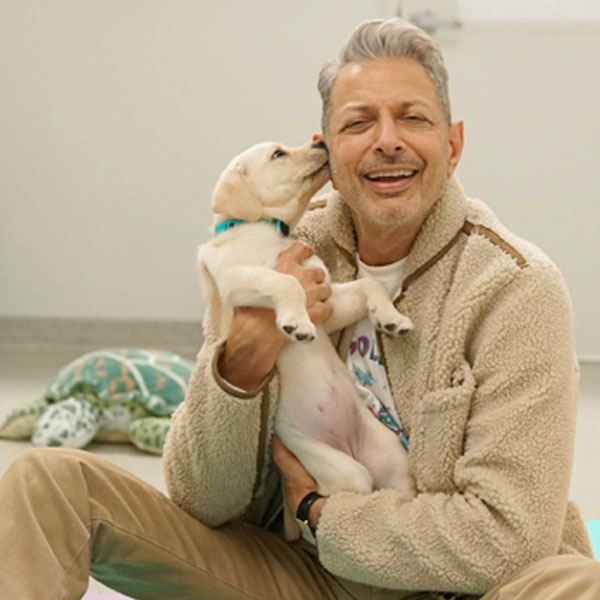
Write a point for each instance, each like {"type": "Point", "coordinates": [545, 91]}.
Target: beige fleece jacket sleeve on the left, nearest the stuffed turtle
{"type": "Point", "coordinates": [216, 444]}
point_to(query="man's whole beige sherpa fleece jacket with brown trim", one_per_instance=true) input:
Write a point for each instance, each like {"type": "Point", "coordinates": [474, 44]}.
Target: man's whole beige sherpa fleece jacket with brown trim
{"type": "Point", "coordinates": [485, 384]}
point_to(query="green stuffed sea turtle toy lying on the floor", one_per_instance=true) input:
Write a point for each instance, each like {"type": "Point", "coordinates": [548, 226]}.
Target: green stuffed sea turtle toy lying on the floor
{"type": "Point", "coordinates": [106, 396]}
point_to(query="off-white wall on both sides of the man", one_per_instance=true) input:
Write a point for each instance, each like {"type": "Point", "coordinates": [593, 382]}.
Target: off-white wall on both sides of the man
{"type": "Point", "coordinates": [116, 117]}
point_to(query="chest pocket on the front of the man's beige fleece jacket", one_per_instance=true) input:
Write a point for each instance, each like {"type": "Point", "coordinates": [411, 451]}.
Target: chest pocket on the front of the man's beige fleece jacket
{"type": "Point", "coordinates": [437, 441]}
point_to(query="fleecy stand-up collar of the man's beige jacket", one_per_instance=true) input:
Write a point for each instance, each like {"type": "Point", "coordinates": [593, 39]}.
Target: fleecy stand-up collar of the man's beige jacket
{"type": "Point", "coordinates": [437, 234]}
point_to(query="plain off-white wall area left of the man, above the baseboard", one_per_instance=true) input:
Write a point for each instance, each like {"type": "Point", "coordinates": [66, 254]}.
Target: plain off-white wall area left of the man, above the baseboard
{"type": "Point", "coordinates": [116, 117]}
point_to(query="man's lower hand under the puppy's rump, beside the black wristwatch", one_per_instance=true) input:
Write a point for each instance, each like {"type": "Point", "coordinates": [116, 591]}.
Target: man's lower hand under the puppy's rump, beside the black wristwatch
{"type": "Point", "coordinates": [297, 482]}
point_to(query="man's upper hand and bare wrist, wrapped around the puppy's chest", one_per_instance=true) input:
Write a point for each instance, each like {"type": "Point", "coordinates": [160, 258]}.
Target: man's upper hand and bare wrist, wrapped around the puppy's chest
{"type": "Point", "coordinates": [254, 340]}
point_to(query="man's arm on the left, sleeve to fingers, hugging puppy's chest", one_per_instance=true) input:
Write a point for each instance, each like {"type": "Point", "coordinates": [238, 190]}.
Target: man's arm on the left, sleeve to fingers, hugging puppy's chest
{"type": "Point", "coordinates": [211, 452]}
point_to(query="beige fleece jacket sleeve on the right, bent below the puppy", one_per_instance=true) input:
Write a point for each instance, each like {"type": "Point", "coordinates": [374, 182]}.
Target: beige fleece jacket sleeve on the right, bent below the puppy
{"type": "Point", "coordinates": [499, 444]}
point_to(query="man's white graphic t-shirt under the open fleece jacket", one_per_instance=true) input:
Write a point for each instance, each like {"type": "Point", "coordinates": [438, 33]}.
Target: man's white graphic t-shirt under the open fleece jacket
{"type": "Point", "coordinates": [364, 359]}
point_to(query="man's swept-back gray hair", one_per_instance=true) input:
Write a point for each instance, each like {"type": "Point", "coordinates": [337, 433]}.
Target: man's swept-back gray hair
{"type": "Point", "coordinates": [392, 38]}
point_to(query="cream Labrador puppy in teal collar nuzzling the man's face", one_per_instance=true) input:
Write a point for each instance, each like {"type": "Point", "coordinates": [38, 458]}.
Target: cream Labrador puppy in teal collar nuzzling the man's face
{"type": "Point", "coordinates": [321, 416]}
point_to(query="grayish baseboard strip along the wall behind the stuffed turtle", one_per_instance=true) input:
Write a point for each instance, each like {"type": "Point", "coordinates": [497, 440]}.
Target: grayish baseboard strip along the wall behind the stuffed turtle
{"type": "Point", "coordinates": [38, 334]}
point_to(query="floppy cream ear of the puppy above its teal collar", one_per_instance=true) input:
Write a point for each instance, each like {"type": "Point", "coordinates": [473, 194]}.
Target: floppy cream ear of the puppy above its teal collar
{"type": "Point", "coordinates": [236, 196]}
